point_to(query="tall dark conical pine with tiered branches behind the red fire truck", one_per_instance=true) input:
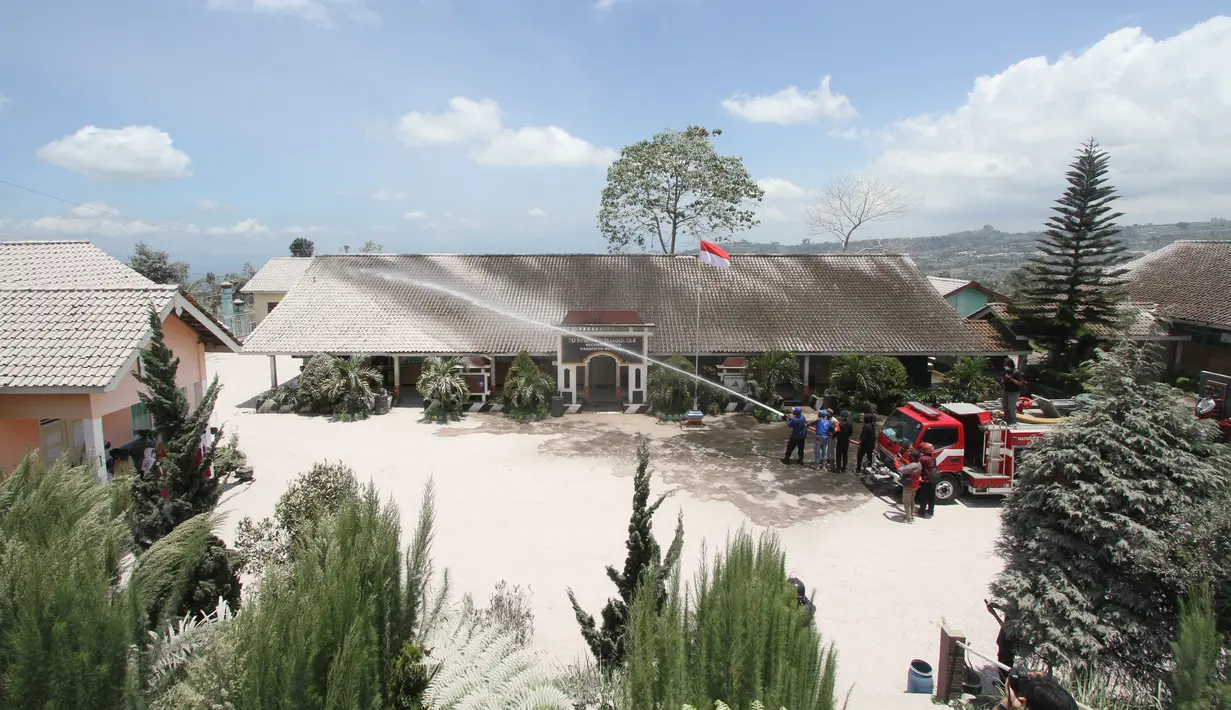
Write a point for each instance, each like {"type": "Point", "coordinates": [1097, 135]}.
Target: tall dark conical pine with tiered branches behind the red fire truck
{"type": "Point", "coordinates": [1073, 281]}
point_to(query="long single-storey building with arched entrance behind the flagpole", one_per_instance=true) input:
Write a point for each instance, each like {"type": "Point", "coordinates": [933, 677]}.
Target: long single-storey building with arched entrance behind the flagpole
{"type": "Point", "coordinates": [403, 308]}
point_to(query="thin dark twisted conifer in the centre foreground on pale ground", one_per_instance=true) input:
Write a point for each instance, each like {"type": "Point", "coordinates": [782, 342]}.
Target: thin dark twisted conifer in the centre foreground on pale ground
{"type": "Point", "coordinates": [644, 557]}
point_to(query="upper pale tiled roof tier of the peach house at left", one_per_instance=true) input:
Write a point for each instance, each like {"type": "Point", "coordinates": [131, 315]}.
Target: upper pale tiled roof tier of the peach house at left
{"type": "Point", "coordinates": [63, 264]}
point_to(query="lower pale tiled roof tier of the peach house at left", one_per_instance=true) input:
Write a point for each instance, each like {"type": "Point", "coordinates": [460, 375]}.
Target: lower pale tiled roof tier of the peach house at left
{"type": "Point", "coordinates": [73, 338]}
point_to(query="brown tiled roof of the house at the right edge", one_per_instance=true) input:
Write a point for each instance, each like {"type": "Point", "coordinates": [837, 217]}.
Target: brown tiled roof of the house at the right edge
{"type": "Point", "coordinates": [1189, 280]}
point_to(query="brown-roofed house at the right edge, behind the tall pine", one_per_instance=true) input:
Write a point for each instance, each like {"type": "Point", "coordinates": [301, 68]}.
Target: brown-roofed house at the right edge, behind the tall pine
{"type": "Point", "coordinates": [1191, 282]}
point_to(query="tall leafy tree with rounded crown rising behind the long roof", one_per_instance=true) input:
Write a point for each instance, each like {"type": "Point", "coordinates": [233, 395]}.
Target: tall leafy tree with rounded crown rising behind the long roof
{"type": "Point", "coordinates": [675, 185]}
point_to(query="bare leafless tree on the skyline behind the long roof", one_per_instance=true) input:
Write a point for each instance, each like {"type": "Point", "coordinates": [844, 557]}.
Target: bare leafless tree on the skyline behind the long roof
{"type": "Point", "coordinates": [849, 204]}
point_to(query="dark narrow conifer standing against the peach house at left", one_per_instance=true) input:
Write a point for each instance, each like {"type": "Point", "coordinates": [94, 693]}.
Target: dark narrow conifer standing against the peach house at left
{"type": "Point", "coordinates": [180, 430]}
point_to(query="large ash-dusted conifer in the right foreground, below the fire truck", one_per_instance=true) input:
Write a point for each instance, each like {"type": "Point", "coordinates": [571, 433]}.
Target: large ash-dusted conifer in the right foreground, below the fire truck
{"type": "Point", "coordinates": [1089, 535]}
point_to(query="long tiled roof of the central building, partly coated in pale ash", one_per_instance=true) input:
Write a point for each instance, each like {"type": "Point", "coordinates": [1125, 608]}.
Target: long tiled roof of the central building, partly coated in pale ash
{"type": "Point", "coordinates": [802, 303]}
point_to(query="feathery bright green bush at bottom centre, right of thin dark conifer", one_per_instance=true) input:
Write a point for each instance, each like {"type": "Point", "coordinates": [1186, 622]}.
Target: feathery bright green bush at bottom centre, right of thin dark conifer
{"type": "Point", "coordinates": [739, 636]}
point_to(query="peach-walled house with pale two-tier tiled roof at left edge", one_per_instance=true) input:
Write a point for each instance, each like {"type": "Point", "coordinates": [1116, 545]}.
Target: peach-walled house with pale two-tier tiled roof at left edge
{"type": "Point", "coordinates": [73, 322]}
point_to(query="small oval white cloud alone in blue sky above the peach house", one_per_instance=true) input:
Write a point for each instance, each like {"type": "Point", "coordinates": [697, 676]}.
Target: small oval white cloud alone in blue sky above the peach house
{"type": "Point", "coordinates": [136, 153]}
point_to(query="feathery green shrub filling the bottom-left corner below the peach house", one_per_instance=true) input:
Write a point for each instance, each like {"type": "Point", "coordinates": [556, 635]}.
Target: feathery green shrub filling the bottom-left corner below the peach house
{"type": "Point", "coordinates": [74, 627]}
